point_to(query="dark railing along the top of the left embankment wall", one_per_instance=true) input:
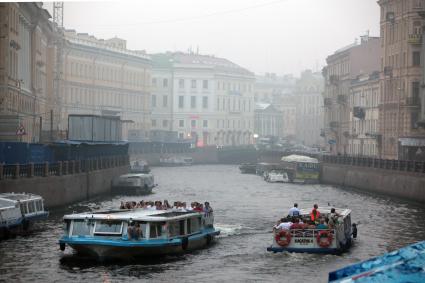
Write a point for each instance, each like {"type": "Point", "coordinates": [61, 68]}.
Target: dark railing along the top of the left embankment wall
{"type": "Point", "coordinates": [16, 171]}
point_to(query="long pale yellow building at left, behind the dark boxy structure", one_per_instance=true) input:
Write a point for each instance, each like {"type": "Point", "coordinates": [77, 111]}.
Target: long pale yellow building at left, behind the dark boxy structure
{"type": "Point", "coordinates": [103, 77]}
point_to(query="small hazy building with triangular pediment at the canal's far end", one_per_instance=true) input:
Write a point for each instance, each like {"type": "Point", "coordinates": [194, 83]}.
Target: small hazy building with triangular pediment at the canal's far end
{"type": "Point", "coordinates": [267, 121]}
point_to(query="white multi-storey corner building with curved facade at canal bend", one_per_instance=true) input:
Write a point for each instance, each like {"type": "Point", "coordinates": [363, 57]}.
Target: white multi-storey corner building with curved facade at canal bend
{"type": "Point", "coordinates": [206, 99]}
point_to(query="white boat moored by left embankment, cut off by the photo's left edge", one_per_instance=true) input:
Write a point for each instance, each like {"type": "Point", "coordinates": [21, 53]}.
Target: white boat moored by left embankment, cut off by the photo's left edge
{"type": "Point", "coordinates": [19, 211]}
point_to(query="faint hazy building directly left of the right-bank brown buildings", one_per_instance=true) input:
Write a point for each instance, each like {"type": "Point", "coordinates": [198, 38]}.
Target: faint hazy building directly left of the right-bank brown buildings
{"type": "Point", "coordinates": [309, 108]}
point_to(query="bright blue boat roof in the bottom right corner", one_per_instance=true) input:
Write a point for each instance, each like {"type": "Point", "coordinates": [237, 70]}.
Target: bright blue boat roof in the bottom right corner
{"type": "Point", "coordinates": [404, 265]}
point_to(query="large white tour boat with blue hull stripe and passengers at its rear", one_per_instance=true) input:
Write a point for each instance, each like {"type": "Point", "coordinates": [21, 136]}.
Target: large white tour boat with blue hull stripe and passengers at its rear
{"type": "Point", "coordinates": [107, 235]}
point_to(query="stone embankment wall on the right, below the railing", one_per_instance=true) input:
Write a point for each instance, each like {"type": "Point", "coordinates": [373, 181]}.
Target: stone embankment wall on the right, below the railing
{"type": "Point", "coordinates": [405, 185]}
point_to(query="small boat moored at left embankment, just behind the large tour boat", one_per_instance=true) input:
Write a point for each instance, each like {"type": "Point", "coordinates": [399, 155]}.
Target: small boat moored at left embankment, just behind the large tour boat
{"type": "Point", "coordinates": [137, 183]}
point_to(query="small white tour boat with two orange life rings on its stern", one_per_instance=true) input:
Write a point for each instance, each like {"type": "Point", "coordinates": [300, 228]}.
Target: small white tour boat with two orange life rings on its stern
{"type": "Point", "coordinates": [313, 240]}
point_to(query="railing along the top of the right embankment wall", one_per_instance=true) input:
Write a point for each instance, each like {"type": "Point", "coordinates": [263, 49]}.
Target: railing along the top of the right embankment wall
{"type": "Point", "coordinates": [387, 164]}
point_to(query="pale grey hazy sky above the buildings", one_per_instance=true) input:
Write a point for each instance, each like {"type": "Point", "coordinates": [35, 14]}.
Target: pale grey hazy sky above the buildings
{"type": "Point", "coordinates": [283, 36]}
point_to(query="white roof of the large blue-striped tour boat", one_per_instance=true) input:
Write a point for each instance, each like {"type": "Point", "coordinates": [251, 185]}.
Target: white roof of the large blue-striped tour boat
{"type": "Point", "coordinates": [137, 214]}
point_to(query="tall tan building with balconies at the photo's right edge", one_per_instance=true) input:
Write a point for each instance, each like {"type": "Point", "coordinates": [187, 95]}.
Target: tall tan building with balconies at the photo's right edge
{"type": "Point", "coordinates": [401, 33]}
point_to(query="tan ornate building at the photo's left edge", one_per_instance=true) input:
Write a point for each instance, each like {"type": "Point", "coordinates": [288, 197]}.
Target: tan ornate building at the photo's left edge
{"type": "Point", "coordinates": [26, 71]}
